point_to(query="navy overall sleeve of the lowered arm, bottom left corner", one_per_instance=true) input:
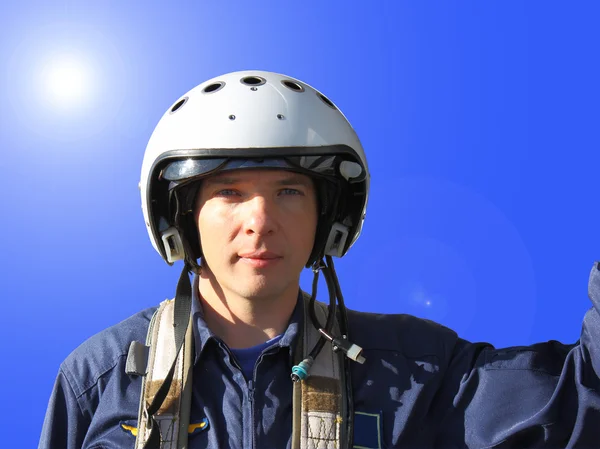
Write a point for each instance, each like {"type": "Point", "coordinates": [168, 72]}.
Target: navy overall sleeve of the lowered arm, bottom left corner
{"type": "Point", "coordinates": [65, 425]}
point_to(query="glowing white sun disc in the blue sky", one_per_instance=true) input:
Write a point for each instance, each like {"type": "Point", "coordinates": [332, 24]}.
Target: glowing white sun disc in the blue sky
{"type": "Point", "coordinates": [66, 81]}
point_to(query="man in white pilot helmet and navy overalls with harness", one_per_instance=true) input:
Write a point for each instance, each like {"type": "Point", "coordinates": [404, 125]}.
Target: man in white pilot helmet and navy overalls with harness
{"type": "Point", "coordinates": [248, 178]}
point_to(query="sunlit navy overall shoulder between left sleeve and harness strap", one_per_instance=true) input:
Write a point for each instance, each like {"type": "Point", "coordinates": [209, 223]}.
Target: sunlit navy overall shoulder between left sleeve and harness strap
{"type": "Point", "coordinates": [100, 353]}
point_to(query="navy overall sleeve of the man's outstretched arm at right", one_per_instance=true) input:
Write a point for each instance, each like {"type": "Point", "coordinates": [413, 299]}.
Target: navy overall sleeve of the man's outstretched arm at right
{"type": "Point", "coordinates": [543, 395]}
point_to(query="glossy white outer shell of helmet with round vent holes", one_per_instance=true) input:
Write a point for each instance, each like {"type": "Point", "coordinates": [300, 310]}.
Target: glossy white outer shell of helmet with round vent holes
{"type": "Point", "coordinates": [247, 113]}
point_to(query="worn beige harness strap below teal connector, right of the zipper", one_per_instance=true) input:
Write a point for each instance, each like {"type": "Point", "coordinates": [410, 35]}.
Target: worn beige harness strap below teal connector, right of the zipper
{"type": "Point", "coordinates": [317, 420]}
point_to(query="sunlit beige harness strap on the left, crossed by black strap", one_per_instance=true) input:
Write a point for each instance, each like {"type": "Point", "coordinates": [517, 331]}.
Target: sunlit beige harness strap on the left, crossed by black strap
{"type": "Point", "coordinates": [173, 415]}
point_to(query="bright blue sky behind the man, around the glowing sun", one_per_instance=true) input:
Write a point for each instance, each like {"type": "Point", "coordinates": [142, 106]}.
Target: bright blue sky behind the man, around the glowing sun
{"type": "Point", "coordinates": [479, 119]}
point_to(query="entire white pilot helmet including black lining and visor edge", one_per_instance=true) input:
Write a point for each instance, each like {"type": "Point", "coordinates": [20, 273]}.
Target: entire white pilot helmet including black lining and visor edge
{"type": "Point", "coordinates": [252, 119]}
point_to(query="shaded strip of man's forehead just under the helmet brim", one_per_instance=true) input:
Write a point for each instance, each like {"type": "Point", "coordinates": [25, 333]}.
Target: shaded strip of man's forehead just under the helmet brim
{"type": "Point", "coordinates": [258, 176]}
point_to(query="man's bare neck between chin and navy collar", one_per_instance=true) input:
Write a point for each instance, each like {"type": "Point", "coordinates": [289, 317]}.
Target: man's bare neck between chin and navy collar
{"type": "Point", "coordinates": [243, 322]}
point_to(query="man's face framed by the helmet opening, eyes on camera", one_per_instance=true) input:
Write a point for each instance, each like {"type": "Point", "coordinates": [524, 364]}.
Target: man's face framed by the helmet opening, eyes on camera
{"type": "Point", "coordinates": [257, 229]}
